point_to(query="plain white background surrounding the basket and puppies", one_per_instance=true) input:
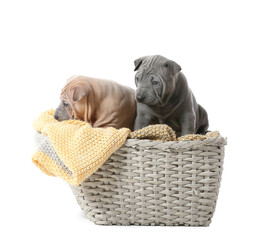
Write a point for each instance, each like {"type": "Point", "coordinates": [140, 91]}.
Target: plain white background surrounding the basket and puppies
{"type": "Point", "coordinates": [224, 48]}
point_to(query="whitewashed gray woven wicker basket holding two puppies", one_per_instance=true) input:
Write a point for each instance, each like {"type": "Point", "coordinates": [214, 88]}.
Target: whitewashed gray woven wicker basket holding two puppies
{"type": "Point", "coordinates": [149, 182]}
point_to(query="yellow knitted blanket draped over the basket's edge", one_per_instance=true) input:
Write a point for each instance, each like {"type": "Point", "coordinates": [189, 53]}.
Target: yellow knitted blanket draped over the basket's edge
{"type": "Point", "coordinates": [83, 149]}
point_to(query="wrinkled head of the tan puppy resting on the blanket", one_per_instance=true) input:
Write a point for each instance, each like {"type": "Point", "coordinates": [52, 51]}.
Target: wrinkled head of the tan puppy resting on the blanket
{"type": "Point", "coordinates": [75, 102]}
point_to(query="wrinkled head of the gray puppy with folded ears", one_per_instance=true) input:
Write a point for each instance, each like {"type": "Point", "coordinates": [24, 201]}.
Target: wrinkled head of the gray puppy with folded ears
{"type": "Point", "coordinates": [155, 79]}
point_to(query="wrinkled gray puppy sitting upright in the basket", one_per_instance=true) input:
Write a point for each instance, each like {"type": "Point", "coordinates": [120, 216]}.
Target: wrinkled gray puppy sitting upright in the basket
{"type": "Point", "coordinates": [163, 97]}
